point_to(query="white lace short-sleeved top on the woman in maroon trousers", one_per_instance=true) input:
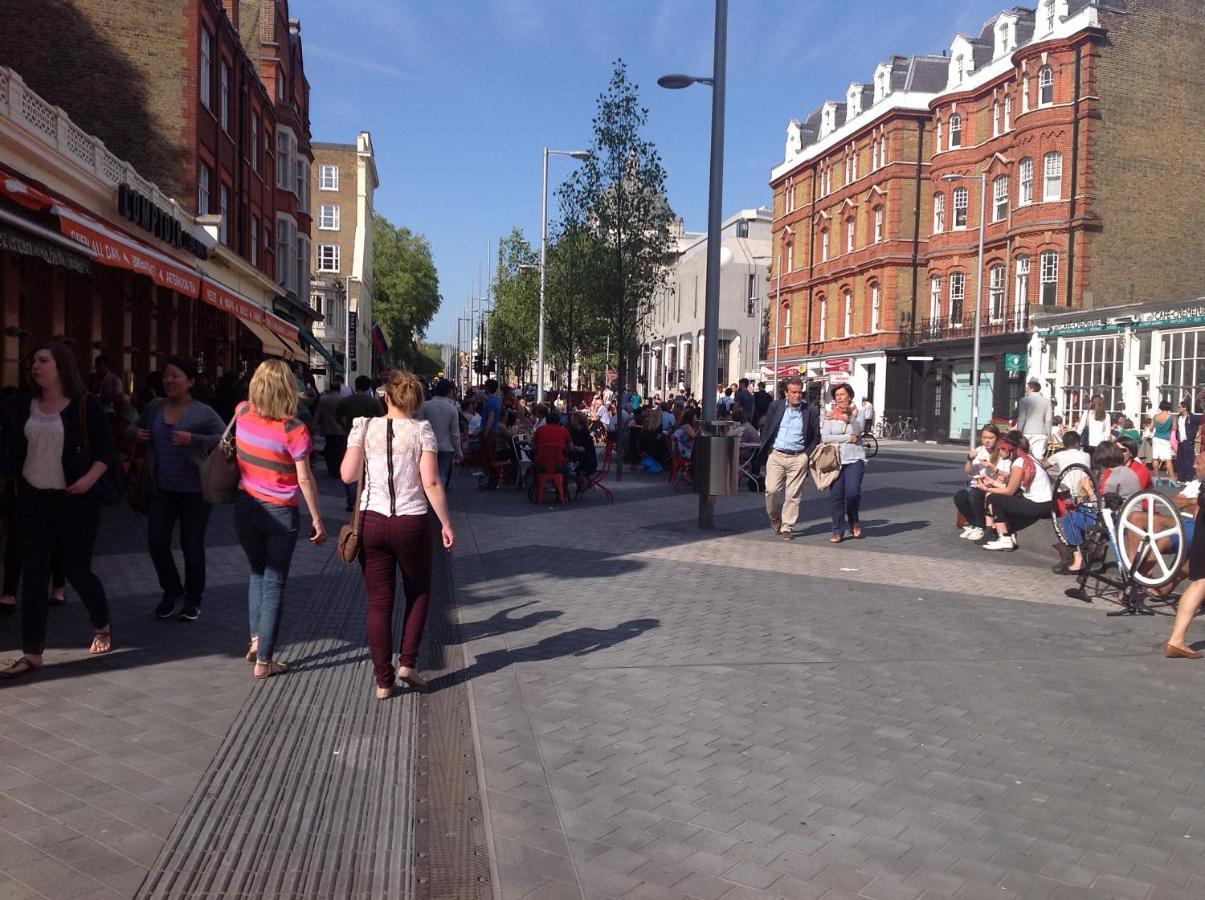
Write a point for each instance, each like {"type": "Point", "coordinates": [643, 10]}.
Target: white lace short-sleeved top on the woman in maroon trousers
{"type": "Point", "coordinates": [412, 439]}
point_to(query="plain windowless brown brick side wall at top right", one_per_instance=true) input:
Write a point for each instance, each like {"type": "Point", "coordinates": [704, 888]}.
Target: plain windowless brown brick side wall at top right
{"type": "Point", "coordinates": [1150, 156]}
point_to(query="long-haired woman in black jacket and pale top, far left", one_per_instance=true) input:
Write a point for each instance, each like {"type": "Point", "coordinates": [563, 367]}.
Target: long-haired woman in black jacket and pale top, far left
{"type": "Point", "coordinates": [60, 445]}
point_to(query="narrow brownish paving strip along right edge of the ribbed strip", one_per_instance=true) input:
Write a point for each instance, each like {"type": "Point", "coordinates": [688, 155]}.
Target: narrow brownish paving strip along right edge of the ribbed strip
{"type": "Point", "coordinates": [451, 861]}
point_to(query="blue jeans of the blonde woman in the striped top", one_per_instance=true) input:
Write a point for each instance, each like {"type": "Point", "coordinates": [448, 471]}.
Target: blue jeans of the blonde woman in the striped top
{"type": "Point", "coordinates": [268, 536]}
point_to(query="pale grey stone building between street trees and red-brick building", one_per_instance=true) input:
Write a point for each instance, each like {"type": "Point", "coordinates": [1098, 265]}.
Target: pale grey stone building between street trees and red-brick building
{"type": "Point", "coordinates": [674, 327]}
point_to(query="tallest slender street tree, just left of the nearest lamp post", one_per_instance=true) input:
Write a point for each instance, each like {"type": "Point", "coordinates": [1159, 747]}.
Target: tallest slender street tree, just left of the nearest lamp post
{"type": "Point", "coordinates": [619, 193]}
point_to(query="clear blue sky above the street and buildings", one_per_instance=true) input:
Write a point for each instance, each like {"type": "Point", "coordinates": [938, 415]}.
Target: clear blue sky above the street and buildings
{"type": "Point", "coordinates": [462, 97]}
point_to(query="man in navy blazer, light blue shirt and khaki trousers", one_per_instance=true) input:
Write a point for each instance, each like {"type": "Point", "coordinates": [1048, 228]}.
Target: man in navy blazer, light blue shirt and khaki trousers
{"type": "Point", "coordinates": [790, 436]}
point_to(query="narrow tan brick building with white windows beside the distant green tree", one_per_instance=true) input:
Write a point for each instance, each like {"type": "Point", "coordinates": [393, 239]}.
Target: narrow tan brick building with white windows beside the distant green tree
{"type": "Point", "coordinates": [345, 180]}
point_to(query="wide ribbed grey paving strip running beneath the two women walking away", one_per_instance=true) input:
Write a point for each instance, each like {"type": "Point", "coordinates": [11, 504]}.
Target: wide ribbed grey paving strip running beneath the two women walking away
{"type": "Point", "coordinates": [311, 793]}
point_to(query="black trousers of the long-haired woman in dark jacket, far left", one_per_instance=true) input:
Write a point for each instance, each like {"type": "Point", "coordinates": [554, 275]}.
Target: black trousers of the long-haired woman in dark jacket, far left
{"type": "Point", "coordinates": [49, 522]}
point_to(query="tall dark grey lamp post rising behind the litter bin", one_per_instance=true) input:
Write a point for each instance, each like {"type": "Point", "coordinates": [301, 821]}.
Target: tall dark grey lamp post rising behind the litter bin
{"type": "Point", "coordinates": [718, 83]}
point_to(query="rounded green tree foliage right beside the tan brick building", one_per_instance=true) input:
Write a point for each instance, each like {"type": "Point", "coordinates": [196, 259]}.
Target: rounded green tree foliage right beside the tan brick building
{"type": "Point", "coordinates": [405, 289]}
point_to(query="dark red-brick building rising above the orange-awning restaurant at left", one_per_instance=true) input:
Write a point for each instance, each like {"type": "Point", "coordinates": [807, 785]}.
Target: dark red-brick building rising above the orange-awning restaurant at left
{"type": "Point", "coordinates": [197, 105]}
